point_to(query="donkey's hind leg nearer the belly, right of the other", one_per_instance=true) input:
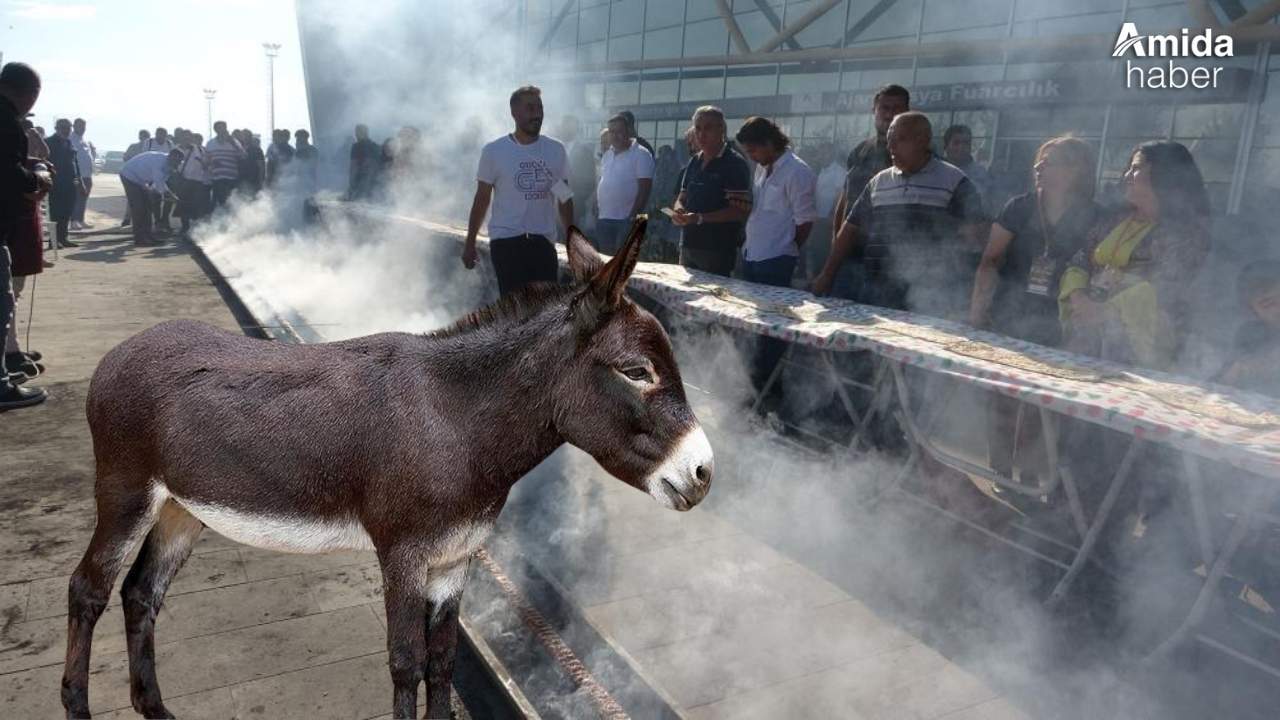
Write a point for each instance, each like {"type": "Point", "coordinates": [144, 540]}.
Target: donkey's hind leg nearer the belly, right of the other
{"type": "Point", "coordinates": [162, 557]}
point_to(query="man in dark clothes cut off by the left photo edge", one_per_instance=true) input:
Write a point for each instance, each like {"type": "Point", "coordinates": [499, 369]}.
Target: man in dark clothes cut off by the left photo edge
{"type": "Point", "coordinates": [20, 88]}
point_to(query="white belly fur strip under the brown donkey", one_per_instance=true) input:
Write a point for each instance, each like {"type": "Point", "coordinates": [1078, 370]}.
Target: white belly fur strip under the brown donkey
{"type": "Point", "coordinates": [281, 534]}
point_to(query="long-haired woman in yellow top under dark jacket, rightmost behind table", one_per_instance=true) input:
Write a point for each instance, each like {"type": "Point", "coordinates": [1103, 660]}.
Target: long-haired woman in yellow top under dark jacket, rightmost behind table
{"type": "Point", "coordinates": [1126, 298]}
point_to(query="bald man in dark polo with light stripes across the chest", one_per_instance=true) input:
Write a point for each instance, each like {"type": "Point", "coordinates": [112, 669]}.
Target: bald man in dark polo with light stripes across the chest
{"type": "Point", "coordinates": [922, 218]}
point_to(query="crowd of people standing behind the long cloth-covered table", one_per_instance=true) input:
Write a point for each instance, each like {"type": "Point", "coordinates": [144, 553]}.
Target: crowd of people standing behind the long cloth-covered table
{"type": "Point", "coordinates": [898, 225]}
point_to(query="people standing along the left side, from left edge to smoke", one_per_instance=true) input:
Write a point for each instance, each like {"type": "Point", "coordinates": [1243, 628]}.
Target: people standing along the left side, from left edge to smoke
{"type": "Point", "coordinates": [164, 176]}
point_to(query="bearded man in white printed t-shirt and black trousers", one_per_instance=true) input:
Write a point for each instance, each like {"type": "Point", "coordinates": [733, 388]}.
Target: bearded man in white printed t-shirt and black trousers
{"type": "Point", "coordinates": [525, 176]}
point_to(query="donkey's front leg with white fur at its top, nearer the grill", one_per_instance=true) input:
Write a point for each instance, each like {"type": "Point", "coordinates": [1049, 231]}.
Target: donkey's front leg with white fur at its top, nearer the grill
{"type": "Point", "coordinates": [445, 595]}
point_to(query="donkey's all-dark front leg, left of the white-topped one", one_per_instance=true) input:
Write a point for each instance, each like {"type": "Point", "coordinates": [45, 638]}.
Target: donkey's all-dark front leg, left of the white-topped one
{"type": "Point", "coordinates": [406, 637]}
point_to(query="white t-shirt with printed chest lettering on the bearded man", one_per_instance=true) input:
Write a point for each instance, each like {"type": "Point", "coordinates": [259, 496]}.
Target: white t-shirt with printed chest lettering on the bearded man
{"type": "Point", "coordinates": [522, 177]}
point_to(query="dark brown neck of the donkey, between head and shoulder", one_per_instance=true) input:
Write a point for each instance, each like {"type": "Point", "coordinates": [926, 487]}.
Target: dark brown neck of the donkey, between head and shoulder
{"type": "Point", "coordinates": [504, 377]}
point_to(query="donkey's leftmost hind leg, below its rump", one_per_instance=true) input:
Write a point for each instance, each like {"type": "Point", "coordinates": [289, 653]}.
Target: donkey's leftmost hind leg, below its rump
{"type": "Point", "coordinates": [124, 514]}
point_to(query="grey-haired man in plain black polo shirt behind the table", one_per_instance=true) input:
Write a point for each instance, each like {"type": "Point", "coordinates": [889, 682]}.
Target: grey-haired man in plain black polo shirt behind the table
{"type": "Point", "coordinates": [712, 227]}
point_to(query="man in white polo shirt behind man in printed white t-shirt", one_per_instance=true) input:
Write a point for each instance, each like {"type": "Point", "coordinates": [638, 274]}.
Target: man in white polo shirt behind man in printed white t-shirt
{"type": "Point", "coordinates": [627, 179]}
